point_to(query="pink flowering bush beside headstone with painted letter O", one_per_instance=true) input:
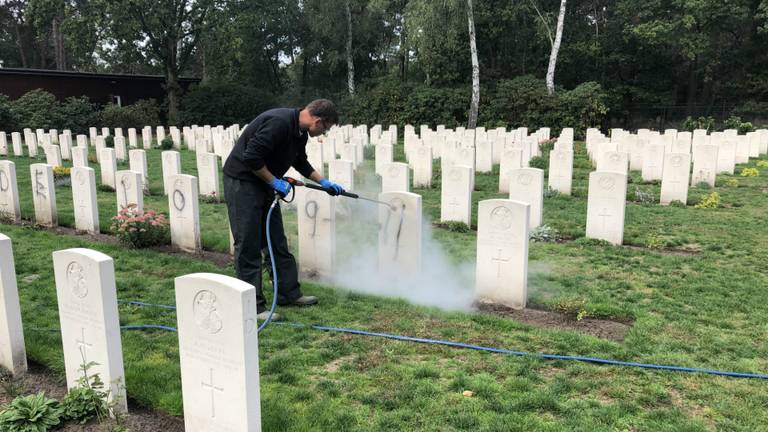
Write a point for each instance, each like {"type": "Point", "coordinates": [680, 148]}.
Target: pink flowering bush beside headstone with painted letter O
{"type": "Point", "coordinates": [140, 229]}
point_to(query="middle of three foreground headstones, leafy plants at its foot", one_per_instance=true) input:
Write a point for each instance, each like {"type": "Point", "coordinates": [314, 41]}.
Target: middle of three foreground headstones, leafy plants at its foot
{"type": "Point", "coordinates": [90, 324]}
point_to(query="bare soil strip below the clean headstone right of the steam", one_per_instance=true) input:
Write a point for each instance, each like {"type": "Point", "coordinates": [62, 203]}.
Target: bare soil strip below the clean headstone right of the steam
{"type": "Point", "coordinates": [537, 316]}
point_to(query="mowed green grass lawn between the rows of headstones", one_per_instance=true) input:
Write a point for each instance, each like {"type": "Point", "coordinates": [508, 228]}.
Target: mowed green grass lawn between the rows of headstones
{"type": "Point", "coordinates": [703, 309]}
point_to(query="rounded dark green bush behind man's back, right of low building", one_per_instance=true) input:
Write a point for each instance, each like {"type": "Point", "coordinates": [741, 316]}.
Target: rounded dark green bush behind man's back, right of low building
{"type": "Point", "coordinates": [223, 103]}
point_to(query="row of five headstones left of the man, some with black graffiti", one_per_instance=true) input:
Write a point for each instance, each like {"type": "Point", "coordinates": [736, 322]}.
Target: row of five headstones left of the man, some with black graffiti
{"type": "Point", "coordinates": [183, 199]}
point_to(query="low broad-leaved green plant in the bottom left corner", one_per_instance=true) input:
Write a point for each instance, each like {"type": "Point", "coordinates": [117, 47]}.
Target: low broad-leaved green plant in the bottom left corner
{"type": "Point", "coordinates": [33, 413]}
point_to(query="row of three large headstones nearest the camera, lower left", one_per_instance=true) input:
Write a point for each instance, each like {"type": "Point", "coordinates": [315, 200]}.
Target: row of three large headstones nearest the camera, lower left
{"type": "Point", "coordinates": [218, 342]}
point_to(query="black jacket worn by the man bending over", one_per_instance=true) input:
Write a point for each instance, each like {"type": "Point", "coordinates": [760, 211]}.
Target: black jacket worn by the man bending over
{"type": "Point", "coordinates": [272, 139]}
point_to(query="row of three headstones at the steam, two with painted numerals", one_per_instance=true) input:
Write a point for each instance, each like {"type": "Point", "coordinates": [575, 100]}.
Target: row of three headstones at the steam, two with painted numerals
{"type": "Point", "coordinates": [502, 242]}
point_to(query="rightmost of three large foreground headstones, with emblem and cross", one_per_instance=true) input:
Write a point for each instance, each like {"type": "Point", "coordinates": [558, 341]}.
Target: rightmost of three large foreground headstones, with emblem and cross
{"type": "Point", "coordinates": [219, 353]}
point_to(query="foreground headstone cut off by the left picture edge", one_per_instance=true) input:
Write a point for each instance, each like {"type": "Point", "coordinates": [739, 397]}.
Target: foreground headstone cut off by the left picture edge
{"type": "Point", "coordinates": [13, 354]}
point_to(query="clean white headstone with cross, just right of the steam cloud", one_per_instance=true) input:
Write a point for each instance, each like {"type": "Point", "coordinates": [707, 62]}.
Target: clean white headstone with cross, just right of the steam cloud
{"type": "Point", "coordinates": [502, 252]}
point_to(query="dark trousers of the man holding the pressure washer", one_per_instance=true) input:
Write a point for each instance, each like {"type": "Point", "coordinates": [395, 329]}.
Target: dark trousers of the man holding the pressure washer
{"type": "Point", "coordinates": [248, 205]}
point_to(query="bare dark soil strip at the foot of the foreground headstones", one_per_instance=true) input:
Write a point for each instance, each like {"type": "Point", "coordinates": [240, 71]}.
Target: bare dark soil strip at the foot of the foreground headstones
{"type": "Point", "coordinates": [38, 379]}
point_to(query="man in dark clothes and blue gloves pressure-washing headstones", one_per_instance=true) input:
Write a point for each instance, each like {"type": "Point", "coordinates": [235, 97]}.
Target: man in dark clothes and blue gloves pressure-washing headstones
{"type": "Point", "coordinates": [273, 142]}
